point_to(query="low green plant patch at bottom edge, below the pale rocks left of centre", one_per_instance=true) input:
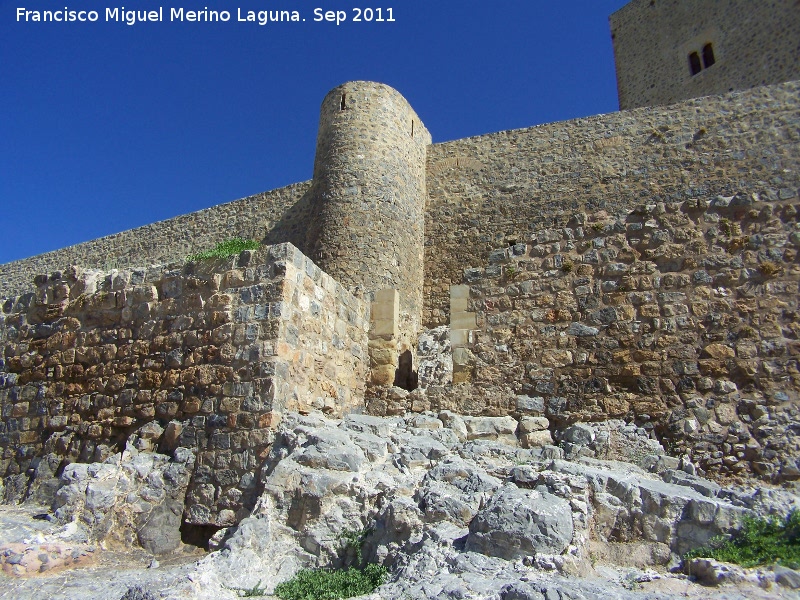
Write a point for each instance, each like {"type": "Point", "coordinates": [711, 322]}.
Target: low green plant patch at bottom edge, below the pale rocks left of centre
{"type": "Point", "coordinates": [325, 584]}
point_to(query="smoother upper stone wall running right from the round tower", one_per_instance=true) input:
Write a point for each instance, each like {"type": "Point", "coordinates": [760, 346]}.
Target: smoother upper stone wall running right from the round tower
{"type": "Point", "coordinates": [492, 191]}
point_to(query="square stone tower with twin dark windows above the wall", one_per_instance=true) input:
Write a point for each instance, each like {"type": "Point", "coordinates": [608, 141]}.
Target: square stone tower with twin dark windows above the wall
{"type": "Point", "coordinates": [754, 43]}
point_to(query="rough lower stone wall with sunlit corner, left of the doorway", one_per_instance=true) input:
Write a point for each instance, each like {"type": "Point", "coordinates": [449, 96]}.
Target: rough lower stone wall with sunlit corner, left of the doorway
{"type": "Point", "coordinates": [201, 355]}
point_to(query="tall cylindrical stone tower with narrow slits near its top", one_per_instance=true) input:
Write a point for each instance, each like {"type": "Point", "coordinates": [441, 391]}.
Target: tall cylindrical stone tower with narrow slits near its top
{"type": "Point", "coordinates": [369, 195]}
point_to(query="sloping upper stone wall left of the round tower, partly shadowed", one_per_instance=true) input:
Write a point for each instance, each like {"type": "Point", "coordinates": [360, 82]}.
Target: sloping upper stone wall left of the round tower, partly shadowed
{"type": "Point", "coordinates": [280, 215]}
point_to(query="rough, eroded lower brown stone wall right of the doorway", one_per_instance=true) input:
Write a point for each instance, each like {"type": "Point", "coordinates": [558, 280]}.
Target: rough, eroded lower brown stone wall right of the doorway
{"type": "Point", "coordinates": [680, 317]}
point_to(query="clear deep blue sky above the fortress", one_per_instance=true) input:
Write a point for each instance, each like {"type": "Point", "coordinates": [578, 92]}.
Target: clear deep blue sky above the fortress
{"type": "Point", "coordinates": [105, 127]}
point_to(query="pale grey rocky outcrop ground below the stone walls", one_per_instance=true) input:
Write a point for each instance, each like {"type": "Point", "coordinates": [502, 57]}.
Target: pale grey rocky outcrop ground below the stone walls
{"type": "Point", "coordinates": [455, 507]}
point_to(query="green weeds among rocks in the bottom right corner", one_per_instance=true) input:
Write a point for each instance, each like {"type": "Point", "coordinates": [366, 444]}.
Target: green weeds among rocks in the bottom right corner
{"type": "Point", "coordinates": [758, 542]}
